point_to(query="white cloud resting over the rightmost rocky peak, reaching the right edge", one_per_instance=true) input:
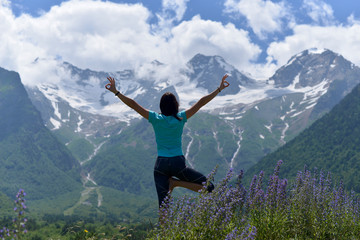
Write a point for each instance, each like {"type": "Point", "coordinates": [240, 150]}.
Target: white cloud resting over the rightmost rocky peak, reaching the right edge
{"type": "Point", "coordinates": [341, 39]}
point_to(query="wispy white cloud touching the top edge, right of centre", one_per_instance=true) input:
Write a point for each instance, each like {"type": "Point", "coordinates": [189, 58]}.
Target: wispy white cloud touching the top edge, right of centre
{"type": "Point", "coordinates": [263, 16]}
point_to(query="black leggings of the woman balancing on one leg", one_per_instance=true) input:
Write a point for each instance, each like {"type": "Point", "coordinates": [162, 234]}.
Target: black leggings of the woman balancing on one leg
{"type": "Point", "coordinates": [166, 167]}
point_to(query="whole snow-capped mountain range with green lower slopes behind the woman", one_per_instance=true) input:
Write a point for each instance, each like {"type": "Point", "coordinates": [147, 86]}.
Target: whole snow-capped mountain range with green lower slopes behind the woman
{"type": "Point", "coordinates": [244, 123]}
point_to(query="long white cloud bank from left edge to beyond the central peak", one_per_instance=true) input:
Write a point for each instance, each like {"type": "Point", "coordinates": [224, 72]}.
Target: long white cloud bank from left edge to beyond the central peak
{"type": "Point", "coordinates": [108, 36]}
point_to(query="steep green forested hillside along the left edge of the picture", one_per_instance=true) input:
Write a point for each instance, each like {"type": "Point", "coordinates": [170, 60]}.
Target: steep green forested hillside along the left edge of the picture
{"type": "Point", "coordinates": [30, 156]}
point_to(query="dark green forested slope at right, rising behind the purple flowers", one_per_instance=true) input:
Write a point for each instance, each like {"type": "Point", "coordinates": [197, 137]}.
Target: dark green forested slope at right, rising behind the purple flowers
{"type": "Point", "coordinates": [331, 144]}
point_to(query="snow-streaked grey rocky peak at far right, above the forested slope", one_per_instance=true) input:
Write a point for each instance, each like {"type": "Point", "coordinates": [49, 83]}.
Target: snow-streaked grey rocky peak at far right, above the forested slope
{"type": "Point", "coordinates": [323, 76]}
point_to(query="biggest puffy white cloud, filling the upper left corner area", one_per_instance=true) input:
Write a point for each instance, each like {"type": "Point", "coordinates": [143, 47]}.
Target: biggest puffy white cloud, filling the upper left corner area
{"type": "Point", "coordinates": [89, 34]}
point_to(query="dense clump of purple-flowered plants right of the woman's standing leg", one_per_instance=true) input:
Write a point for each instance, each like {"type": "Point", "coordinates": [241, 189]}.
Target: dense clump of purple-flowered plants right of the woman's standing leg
{"type": "Point", "coordinates": [311, 208]}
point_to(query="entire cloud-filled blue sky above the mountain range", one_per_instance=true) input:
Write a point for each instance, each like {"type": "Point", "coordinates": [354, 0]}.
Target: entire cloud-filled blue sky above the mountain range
{"type": "Point", "coordinates": [255, 36]}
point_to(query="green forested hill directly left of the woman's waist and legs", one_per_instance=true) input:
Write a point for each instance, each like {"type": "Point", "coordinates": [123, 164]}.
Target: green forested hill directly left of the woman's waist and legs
{"type": "Point", "coordinates": [126, 161]}
